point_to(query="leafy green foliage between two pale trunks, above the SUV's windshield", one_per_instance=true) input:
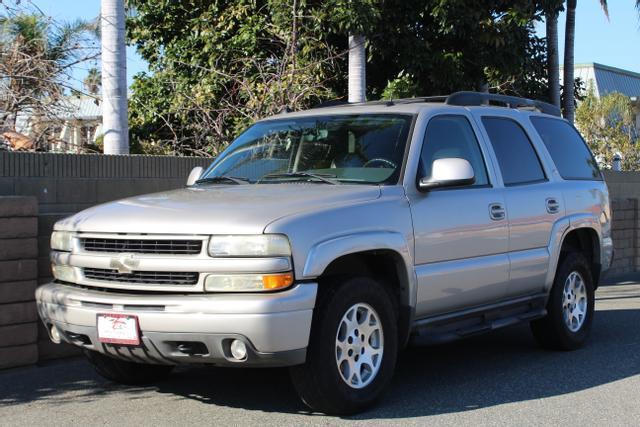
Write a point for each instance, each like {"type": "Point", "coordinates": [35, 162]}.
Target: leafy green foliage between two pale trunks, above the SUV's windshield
{"type": "Point", "coordinates": [217, 66]}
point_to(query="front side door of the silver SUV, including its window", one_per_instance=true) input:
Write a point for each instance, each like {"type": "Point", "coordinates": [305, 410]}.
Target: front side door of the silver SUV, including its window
{"type": "Point", "coordinates": [461, 233]}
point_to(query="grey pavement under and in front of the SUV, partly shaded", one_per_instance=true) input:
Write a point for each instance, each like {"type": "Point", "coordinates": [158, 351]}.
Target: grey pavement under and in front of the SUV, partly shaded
{"type": "Point", "coordinates": [496, 379]}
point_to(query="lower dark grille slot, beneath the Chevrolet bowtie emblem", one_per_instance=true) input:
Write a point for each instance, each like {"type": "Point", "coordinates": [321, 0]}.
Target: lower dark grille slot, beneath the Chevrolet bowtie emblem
{"type": "Point", "coordinates": [142, 277]}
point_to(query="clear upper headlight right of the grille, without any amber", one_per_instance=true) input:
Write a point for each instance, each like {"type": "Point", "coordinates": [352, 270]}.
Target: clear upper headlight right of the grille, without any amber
{"type": "Point", "coordinates": [261, 245]}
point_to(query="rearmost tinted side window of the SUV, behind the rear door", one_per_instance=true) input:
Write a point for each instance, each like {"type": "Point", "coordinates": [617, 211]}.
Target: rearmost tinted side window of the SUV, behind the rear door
{"type": "Point", "coordinates": [569, 152]}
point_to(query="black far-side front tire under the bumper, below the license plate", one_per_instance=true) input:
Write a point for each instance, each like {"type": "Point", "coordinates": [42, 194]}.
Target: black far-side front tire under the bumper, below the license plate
{"type": "Point", "coordinates": [124, 372]}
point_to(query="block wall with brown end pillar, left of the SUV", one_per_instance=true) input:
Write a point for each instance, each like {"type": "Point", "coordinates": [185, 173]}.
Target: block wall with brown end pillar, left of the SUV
{"type": "Point", "coordinates": [59, 185]}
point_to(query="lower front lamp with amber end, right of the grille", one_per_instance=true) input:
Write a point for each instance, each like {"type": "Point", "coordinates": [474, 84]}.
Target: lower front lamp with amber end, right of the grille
{"type": "Point", "coordinates": [248, 282]}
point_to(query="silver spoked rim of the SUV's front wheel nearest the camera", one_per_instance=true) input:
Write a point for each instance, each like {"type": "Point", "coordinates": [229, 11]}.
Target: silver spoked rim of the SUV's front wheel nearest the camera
{"type": "Point", "coordinates": [359, 346]}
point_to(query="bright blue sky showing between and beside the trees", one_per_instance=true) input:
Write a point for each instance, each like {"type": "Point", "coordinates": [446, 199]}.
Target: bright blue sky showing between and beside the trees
{"type": "Point", "coordinates": [615, 42]}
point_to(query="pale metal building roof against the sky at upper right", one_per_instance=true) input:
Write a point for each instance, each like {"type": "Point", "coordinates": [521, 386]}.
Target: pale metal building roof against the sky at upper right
{"type": "Point", "coordinates": [605, 79]}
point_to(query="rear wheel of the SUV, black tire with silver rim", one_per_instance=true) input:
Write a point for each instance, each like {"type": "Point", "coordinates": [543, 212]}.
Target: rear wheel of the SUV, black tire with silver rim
{"type": "Point", "coordinates": [570, 307]}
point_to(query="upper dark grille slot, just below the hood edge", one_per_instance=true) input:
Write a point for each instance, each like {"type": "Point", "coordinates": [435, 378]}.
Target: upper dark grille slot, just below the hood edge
{"type": "Point", "coordinates": [143, 246]}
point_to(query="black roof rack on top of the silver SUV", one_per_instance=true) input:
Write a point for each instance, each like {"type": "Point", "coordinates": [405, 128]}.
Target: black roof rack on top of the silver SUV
{"type": "Point", "coordinates": [464, 98]}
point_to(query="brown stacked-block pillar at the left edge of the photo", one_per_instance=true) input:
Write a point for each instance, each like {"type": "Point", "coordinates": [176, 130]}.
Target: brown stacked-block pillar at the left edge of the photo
{"type": "Point", "coordinates": [18, 280]}
